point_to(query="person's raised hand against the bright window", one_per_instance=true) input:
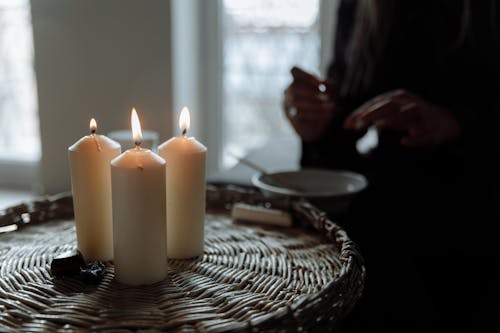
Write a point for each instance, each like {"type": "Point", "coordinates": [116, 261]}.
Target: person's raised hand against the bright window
{"type": "Point", "coordinates": [308, 104]}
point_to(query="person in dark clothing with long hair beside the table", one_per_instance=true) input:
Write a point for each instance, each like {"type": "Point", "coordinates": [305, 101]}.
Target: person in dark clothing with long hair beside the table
{"type": "Point", "coordinates": [422, 76]}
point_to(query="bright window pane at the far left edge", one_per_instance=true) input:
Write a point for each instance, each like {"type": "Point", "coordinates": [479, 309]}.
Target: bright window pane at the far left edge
{"type": "Point", "coordinates": [19, 131]}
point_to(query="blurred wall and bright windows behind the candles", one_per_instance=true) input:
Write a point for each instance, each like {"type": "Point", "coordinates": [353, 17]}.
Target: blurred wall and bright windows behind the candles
{"type": "Point", "coordinates": [63, 62]}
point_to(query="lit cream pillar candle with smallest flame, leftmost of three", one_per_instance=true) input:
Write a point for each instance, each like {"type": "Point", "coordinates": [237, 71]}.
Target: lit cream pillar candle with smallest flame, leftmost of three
{"type": "Point", "coordinates": [89, 159]}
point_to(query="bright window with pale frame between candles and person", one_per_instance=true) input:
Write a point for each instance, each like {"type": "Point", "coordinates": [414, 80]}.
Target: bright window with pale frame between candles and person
{"type": "Point", "coordinates": [243, 52]}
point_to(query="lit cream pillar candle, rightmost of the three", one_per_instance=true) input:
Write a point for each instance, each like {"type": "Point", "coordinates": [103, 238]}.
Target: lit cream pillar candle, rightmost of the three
{"type": "Point", "coordinates": [185, 158]}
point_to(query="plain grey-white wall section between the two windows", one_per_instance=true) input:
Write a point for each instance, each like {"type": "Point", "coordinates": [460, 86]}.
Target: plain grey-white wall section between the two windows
{"type": "Point", "coordinates": [98, 58]}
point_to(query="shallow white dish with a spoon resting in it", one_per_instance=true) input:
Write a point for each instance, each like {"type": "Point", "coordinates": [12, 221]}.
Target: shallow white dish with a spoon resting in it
{"type": "Point", "coordinates": [311, 183]}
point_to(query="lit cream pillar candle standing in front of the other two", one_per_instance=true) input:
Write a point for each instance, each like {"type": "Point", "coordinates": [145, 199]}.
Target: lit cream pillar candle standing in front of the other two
{"type": "Point", "coordinates": [138, 183]}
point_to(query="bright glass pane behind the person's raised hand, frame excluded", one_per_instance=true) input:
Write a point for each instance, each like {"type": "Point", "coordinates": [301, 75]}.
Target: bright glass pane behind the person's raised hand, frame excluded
{"type": "Point", "coordinates": [263, 39]}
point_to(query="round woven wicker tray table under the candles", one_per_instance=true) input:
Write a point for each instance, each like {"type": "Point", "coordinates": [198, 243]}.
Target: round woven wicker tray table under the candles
{"type": "Point", "coordinates": [250, 278]}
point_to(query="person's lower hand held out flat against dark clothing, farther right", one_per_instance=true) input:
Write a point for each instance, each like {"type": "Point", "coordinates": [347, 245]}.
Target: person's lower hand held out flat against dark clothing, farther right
{"type": "Point", "coordinates": [422, 124]}
